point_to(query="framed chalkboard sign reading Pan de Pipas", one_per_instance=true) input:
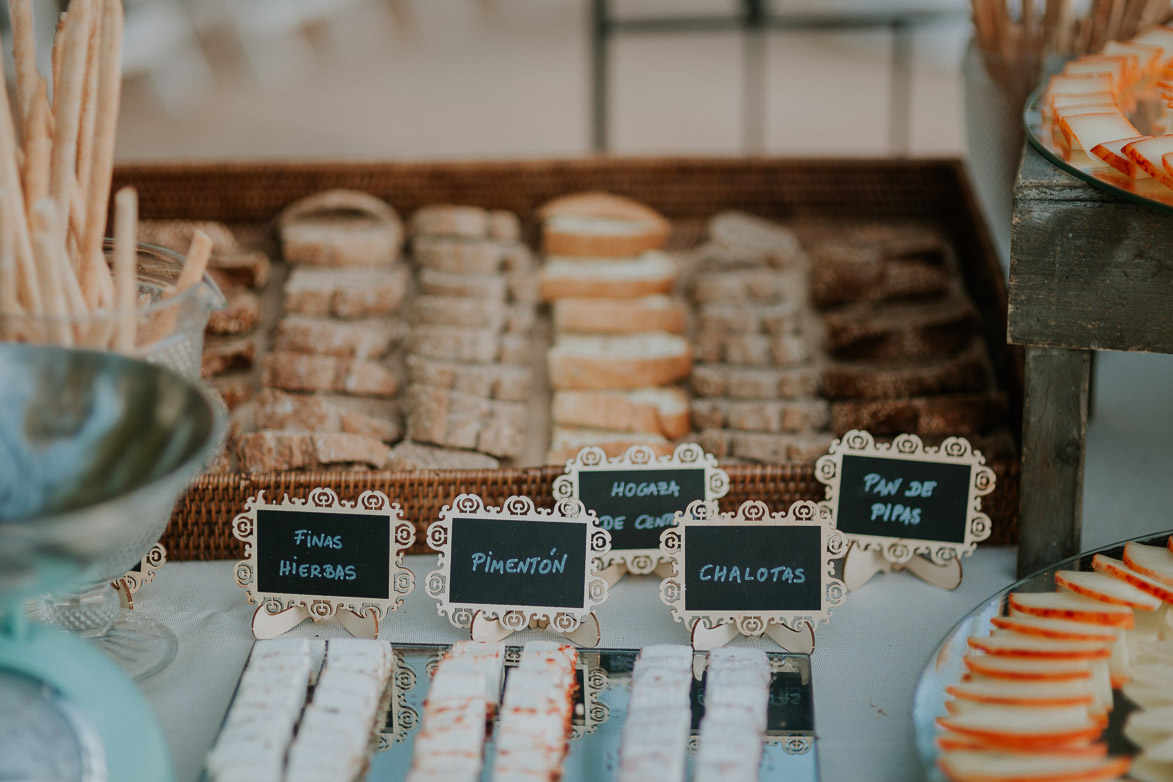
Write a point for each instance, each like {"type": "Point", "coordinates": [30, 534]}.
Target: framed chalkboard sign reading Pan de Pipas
{"type": "Point", "coordinates": [906, 498]}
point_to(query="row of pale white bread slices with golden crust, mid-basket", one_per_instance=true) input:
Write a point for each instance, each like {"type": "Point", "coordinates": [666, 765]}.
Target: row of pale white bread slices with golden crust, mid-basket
{"type": "Point", "coordinates": [619, 344]}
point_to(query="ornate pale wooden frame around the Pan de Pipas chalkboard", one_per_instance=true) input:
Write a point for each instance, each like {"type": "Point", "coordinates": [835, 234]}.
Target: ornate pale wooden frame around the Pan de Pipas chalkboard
{"type": "Point", "coordinates": [897, 550]}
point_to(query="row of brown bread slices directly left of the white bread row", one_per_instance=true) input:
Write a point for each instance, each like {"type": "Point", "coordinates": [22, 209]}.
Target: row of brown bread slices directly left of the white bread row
{"type": "Point", "coordinates": [472, 336]}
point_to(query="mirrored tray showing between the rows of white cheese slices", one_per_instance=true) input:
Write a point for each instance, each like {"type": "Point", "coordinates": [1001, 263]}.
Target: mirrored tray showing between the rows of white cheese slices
{"type": "Point", "coordinates": [605, 688]}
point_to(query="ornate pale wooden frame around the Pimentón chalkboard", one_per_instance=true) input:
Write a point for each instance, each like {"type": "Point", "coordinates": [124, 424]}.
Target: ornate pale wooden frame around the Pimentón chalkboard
{"type": "Point", "coordinates": [512, 618]}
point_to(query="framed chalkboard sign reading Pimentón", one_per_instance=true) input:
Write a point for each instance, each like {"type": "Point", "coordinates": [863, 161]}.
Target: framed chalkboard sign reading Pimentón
{"type": "Point", "coordinates": [518, 563]}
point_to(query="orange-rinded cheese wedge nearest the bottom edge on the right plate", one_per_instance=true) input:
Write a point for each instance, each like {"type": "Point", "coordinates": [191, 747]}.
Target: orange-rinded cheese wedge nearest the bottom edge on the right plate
{"type": "Point", "coordinates": [969, 766]}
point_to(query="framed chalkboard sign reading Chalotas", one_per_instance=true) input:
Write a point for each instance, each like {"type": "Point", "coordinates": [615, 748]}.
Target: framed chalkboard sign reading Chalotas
{"type": "Point", "coordinates": [752, 568]}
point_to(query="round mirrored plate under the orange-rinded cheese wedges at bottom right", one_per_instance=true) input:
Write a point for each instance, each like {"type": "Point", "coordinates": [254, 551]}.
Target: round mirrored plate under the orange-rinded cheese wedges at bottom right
{"type": "Point", "coordinates": [946, 667]}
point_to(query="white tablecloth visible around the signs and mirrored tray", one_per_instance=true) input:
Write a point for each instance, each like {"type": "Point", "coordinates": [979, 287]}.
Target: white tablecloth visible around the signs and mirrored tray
{"type": "Point", "coordinates": [866, 663]}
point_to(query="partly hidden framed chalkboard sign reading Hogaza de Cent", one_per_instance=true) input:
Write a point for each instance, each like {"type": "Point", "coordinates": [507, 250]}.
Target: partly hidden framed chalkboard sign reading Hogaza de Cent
{"type": "Point", "coordinates": [638, 495]}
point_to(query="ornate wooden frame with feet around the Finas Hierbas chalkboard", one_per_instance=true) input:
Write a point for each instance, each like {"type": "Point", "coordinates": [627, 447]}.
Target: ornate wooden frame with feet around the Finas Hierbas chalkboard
{"type": "Point", "coordinates": [295, 609]}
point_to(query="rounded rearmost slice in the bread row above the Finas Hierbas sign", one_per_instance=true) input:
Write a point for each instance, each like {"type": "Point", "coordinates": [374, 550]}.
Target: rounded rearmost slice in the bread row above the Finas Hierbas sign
{"type": "Point", "coordinates": [341, 229]}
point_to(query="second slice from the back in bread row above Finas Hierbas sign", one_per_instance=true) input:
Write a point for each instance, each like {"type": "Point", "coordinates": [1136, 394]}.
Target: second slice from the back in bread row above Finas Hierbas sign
{"type": "Point", "coordinates": [347, 293]}
